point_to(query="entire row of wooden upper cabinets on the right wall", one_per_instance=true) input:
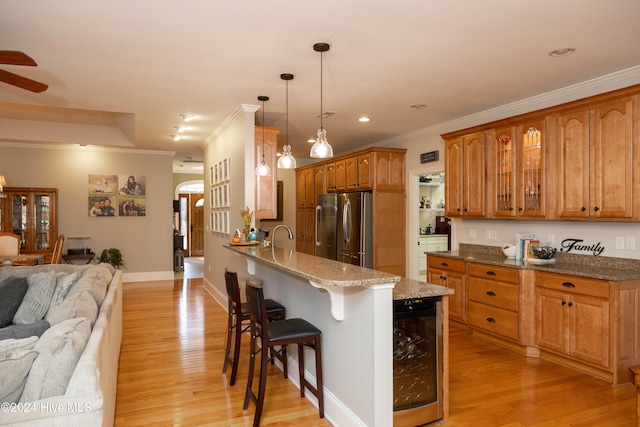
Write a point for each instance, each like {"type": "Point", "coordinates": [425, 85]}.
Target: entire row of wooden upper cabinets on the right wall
{"type": "Point", "coordinates": [577, 161]}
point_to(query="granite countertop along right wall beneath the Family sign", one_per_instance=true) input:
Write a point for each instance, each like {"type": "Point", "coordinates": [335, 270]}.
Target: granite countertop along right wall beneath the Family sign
{"type": "Point", "coordinates": [595, 267]}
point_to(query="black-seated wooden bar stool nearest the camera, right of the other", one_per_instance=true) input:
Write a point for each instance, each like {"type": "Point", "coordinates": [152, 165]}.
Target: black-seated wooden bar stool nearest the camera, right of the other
{"type": "Point", "coordinates": [279, 333]}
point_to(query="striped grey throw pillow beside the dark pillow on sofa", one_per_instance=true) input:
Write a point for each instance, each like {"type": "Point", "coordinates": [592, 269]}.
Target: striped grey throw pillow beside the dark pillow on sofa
{"type": "Point", "coordinates": [37, 299]}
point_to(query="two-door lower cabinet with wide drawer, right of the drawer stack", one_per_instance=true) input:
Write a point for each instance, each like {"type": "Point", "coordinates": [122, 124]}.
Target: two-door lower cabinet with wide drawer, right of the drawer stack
{"type": "Point", "coordinates": [573, 318]}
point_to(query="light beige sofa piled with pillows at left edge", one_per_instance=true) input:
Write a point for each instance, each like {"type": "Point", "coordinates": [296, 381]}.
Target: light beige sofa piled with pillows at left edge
{"type": "Point", "coordinates": [69, 354]}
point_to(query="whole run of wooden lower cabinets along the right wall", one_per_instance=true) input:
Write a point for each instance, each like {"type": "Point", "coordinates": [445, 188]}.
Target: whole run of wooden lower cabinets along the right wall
{"type": "Point", "coordinates": [589, 324]}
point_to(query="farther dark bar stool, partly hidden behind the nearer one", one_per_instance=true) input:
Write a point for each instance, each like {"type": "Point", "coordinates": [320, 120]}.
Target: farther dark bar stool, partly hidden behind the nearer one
{"type": "Point", "coordinates": [239, 312]}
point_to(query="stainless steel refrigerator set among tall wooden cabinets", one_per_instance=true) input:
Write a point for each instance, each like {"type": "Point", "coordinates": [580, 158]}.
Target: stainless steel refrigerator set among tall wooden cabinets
{"type": "Point", "coordinates": [352, 227]}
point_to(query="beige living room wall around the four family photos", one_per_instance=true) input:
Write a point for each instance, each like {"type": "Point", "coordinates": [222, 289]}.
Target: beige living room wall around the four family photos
{"type": "Point", "coordinates": [145, 242]}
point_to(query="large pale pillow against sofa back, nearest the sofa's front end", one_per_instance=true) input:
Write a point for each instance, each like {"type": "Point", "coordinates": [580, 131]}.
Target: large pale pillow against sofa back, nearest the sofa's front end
{"type": "Point", "coordinates": [59, 348]}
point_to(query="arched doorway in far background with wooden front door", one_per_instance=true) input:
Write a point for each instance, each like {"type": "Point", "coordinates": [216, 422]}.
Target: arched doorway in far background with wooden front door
{"type": "Point", "coordinates": [189, 219]}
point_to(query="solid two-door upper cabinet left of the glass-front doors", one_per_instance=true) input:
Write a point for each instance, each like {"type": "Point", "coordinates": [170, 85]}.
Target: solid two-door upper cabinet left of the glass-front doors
{"type": "Point", "coordinates": [465, 176]}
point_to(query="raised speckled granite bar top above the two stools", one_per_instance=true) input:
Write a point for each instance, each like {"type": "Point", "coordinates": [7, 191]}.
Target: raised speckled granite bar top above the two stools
{"type": "Point", "coordinates": [325, 272]}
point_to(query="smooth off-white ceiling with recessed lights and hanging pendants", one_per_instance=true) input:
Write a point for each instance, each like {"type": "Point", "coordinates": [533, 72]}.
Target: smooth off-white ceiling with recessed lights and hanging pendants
{"type": "Point", "coordinates": [120, 72]}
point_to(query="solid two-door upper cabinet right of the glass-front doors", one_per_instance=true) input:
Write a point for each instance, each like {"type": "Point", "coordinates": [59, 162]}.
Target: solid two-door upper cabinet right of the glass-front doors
{"type": "Point", "coordinates": [597, 161]}
